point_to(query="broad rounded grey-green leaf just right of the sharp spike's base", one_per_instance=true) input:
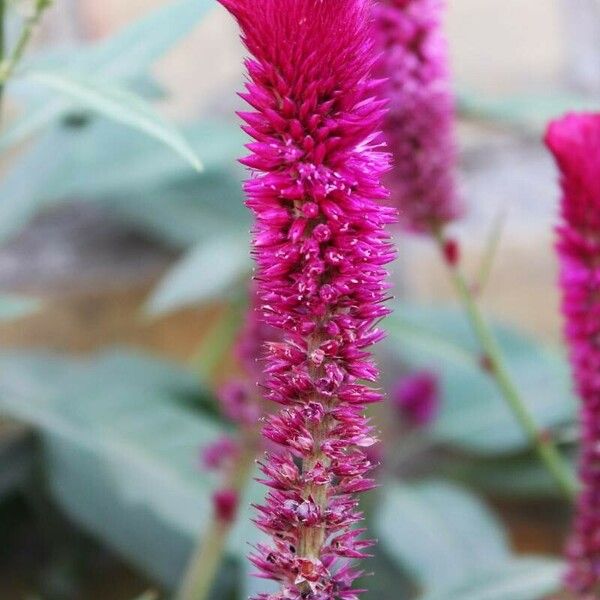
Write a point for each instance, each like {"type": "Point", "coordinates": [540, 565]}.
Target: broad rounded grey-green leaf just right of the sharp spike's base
{"type": "Point", "coordinates": [438, 532]}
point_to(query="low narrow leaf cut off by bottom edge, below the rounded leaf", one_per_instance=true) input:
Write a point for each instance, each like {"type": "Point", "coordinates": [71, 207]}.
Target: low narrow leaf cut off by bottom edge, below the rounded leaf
{"type": "Point", "coordinates": [519, 579]}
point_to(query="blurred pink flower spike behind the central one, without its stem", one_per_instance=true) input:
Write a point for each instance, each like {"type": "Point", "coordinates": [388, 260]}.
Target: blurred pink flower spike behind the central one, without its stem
{"type": "Point", "coordinates": [420, 125]}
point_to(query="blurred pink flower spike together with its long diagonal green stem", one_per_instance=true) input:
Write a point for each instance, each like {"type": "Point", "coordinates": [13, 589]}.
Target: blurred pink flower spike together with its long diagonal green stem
{"type": "Point", "coordinates": [420, 132]}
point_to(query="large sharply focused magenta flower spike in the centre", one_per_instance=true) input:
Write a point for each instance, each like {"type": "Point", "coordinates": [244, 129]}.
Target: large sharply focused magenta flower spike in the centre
{"type": "Point", "coordinates": [320, 249]}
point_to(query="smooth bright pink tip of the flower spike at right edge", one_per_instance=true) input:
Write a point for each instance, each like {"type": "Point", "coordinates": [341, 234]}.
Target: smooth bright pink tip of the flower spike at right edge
{"type": "Point", "coordinates": [575, 142]}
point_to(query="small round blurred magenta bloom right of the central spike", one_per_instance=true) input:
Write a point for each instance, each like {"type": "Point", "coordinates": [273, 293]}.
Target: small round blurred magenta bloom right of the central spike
{"type": "Point", "coordinates": [416, 397]}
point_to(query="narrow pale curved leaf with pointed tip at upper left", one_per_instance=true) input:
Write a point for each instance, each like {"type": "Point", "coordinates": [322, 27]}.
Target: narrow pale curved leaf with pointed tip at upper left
{"type": "Point", "coordinates": [118, 104]}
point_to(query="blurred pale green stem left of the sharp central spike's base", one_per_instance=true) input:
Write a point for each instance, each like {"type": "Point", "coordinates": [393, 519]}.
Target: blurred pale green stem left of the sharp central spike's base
{"type": "Point", "coordinates": [206, 559]}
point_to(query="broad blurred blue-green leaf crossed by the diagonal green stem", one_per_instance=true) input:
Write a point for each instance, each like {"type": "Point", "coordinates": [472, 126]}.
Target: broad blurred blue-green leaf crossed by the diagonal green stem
{"type": "Point", "coordinates": [474, 415]}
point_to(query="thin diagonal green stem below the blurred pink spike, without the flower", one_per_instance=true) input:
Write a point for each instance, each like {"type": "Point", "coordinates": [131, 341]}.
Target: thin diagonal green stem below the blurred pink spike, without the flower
{"type": "Point", "coordinates": [544, 445]}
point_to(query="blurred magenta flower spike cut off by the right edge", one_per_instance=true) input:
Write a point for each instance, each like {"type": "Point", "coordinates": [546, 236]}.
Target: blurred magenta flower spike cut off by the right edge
{"type": "Point", "coordinates": [575, 142]}
